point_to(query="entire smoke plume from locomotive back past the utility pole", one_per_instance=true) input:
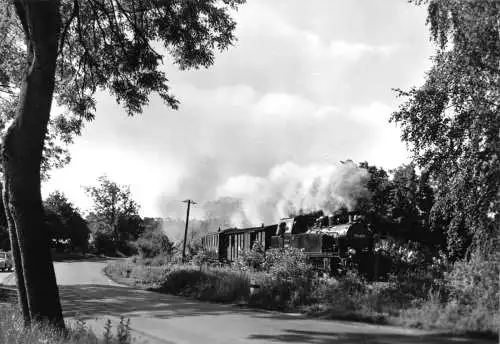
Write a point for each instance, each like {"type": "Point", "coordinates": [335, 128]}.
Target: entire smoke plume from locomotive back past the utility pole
{"type": "Point", "coordinates": [246, 200]}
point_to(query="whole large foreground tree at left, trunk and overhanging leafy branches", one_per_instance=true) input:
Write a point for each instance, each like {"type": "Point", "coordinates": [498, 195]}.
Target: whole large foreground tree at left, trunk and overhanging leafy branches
{"type": "Point", "coordinates": [70, 49]}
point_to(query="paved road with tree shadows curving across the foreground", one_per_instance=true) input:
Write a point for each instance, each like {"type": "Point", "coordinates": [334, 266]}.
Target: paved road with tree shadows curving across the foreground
{"type": "Point", "coordinates": [165, 319]}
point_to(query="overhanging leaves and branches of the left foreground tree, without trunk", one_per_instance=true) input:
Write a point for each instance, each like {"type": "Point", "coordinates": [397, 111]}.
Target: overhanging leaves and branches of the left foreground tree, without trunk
{"type": "Point", "coordinates": [112, 45]}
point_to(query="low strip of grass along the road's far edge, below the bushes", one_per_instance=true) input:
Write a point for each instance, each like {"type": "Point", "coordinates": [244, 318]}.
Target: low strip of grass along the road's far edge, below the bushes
{"type": "Point", "coordinates": [405, 301]}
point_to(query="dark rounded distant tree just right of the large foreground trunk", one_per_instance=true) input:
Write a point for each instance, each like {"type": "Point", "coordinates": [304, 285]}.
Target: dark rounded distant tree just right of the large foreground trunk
{"type": "Point", "coordinates": [65, 222]}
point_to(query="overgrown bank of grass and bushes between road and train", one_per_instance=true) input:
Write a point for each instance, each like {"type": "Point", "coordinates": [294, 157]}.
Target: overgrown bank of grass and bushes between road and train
{"type": "Point", "coordinates": [285, 282]}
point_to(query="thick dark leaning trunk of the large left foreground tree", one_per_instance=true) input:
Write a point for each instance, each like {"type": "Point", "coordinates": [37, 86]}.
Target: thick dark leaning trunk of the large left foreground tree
{"type": "Point", "coordinates": [22, 153]}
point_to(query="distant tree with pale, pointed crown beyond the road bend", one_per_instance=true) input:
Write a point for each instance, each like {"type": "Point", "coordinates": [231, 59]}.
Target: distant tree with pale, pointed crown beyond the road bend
{"type": "Point", "coordinates": [113, 205]}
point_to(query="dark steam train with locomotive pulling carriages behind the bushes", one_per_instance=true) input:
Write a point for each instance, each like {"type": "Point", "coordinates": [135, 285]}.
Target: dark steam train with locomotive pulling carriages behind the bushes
{"type": "Point", "coordinates": [332, 244]}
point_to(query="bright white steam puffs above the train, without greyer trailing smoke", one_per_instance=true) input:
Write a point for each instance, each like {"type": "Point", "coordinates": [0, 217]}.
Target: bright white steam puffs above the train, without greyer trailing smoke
{"type": "Point", "coordinates": [289, 189]}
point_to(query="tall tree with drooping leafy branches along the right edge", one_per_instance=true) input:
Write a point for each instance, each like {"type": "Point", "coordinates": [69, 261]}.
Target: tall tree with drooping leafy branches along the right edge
{"type": "Point", "coordinates": [452, 123]}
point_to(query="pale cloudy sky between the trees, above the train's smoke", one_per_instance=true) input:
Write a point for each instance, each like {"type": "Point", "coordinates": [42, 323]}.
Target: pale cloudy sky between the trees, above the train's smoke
{"type": "Point", "coordinates": [304, 87]}
